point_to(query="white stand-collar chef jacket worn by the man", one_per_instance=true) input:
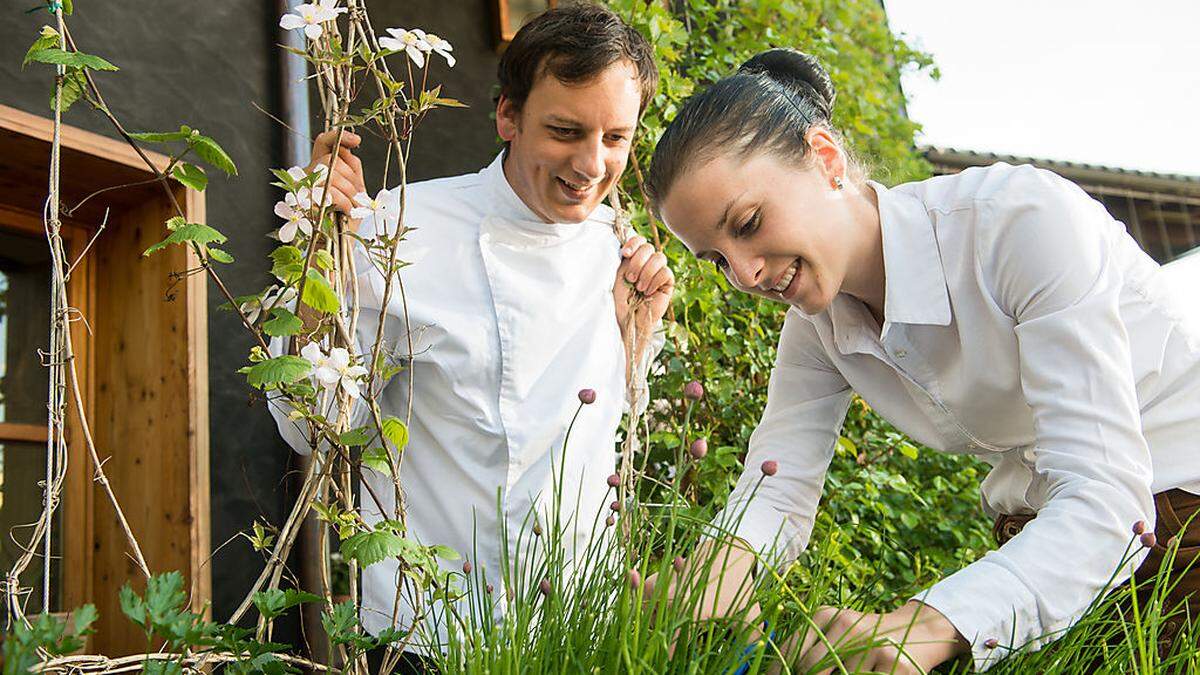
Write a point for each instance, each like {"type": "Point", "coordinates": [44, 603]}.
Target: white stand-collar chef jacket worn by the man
{"type": "Point", "coordinates": [511, 316]}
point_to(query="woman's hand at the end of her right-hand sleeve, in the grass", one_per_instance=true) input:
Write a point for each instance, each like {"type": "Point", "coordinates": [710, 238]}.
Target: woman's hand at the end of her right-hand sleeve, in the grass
{"type": "Point", "coordinates": [914, 640]}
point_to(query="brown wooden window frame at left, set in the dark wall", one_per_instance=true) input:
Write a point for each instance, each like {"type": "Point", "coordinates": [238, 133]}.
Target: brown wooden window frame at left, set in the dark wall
{"type": "Point", "coordinates": [148, 416]}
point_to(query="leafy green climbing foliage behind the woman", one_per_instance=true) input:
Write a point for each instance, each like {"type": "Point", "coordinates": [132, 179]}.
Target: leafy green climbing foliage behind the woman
{"type": "Point", "coordinates": [898, 517]}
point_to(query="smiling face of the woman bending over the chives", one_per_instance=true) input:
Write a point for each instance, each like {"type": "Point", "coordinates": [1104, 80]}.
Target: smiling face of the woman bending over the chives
{"type": "Point", "coordinates": [776, 230]}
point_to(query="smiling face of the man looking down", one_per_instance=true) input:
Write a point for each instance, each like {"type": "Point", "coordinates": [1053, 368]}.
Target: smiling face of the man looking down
{"type": "Point", "coordinates": [569, 144]}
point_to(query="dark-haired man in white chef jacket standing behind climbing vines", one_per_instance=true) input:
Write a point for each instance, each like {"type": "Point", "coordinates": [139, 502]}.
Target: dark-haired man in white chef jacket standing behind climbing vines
{"type": "Point", "coordinates": [515, 307]}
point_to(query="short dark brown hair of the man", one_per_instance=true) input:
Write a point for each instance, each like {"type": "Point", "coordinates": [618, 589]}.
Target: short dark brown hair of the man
{"type": "Point", "coordinates": [574, 44]}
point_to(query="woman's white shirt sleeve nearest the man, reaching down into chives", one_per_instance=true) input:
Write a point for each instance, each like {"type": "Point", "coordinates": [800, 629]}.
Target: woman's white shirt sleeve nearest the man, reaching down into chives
{"type": "Point", "coordinates": [807, 403]}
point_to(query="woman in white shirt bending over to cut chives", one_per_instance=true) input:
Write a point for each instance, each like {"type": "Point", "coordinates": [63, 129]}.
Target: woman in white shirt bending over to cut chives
{"type": "Point", "coordinates": [999, 313]}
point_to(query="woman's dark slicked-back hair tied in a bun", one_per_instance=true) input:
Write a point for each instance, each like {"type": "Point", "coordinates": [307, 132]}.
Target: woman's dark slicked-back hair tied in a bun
{"type": "Point", "coordinates": [767, 106]}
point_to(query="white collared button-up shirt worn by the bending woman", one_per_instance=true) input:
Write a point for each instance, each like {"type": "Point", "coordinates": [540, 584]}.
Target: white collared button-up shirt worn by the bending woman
{"type": "Point", "coordinates": [1022, 326]}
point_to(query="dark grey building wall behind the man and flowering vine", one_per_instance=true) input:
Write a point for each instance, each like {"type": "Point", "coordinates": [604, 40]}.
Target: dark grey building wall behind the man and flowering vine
{"type": "Point", "coordinates": [206, 65]}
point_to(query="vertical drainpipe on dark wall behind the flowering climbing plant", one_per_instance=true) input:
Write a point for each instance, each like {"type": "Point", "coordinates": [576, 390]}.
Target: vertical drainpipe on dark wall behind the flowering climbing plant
{"type": "Point", "coordinates": [297, 152]}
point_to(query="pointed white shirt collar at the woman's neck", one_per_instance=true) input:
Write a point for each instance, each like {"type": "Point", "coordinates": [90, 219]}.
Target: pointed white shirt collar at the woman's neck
{"type": "Point", "coordinates": [915, 282]}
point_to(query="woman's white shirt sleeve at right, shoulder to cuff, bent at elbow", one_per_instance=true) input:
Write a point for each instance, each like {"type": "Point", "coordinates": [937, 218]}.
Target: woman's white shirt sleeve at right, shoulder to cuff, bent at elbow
{"type": "Point", "coordinates": [1049, 253]}
